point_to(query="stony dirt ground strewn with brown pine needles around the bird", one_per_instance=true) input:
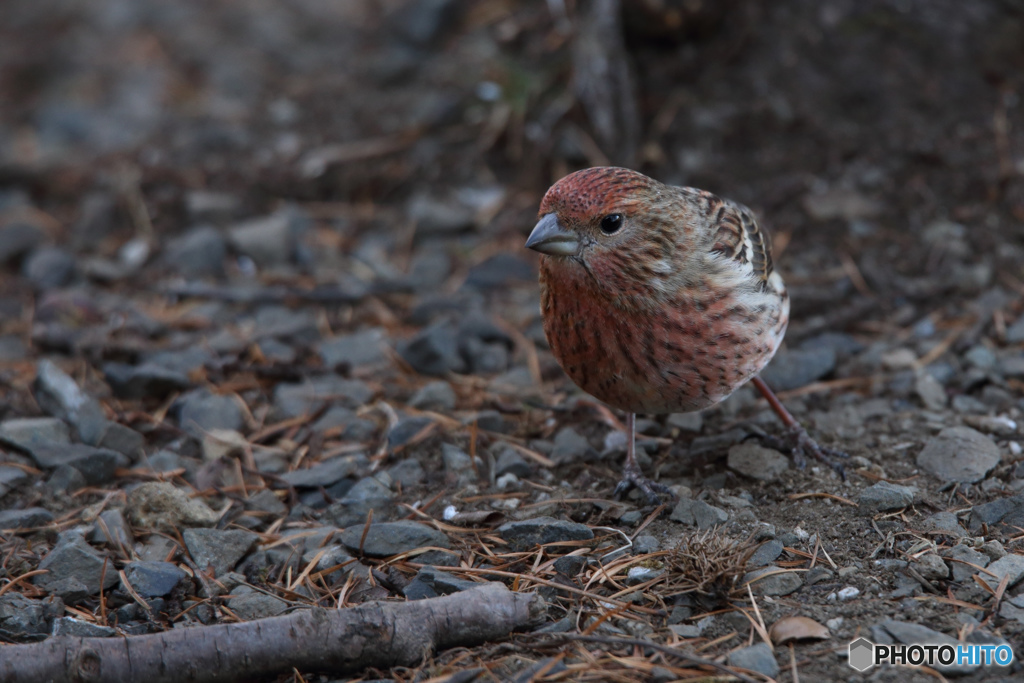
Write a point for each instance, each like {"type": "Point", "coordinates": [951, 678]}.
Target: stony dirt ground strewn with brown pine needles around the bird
{"type": "Point", "coordinates": [267, 237]}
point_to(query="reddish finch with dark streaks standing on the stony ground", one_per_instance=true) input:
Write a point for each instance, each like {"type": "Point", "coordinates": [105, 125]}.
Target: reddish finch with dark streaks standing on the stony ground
{"type": "Point", "coordinates": [661, 300]}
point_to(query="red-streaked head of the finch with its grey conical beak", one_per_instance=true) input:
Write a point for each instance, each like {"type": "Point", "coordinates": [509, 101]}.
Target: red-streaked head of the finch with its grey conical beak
{"type": "Point", "coordinates": [625, 229]}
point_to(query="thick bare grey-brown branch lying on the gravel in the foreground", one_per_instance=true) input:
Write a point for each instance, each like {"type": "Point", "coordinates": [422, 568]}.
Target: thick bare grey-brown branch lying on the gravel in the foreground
{"type": "Point", "coordinates": [338, 643]}
